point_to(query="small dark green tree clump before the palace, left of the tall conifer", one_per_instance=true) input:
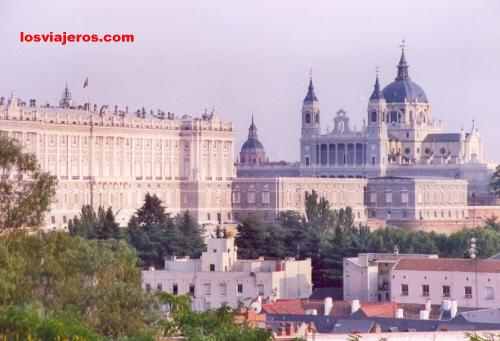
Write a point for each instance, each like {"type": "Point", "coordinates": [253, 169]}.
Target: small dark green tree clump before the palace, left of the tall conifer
{"type": "Point", "coordinates": [95, 226]}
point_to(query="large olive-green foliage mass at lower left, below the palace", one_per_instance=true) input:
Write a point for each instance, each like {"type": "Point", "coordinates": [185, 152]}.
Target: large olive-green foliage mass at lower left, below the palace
{"type": "Point", "coordinates": [96, 281]}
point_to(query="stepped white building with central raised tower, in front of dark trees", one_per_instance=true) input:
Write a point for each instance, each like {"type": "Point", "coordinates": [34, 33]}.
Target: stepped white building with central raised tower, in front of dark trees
{"type": "Point", "coordinates": [219, 278]}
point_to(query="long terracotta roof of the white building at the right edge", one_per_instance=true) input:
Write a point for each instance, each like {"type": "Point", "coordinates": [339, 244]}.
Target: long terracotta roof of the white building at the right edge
{"type": "Point", "coordinates": [449, 264]}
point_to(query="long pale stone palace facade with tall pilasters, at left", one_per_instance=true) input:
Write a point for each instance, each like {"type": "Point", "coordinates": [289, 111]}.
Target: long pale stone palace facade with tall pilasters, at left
{"type": "Point", "coordinates": [113, 158]}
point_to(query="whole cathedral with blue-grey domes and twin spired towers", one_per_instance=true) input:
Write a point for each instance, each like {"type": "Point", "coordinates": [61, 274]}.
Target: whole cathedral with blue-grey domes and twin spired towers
{"type": "Point", "coordinates": [399, 137]}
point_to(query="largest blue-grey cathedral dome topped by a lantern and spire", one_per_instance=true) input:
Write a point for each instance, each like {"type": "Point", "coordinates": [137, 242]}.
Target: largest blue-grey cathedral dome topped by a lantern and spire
{"type": "Point", "coordinates": [403, 88]}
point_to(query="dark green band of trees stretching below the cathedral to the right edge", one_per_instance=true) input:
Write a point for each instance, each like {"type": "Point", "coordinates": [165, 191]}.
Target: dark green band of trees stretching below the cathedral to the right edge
{"type": "Point", "coordinates": [327, 236]}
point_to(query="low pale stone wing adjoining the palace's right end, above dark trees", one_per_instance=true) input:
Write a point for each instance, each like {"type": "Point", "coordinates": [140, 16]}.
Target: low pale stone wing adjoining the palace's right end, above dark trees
{"type": "Point", "coordinates": [266, 198]}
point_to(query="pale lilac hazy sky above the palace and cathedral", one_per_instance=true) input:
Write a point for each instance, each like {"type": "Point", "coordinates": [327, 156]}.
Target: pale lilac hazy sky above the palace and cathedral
{"type": "Point", "coordinates": [244, 57]}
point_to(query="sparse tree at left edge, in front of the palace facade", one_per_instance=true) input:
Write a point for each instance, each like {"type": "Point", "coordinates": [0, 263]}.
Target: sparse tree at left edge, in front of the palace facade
{"type": "Point", "coordinates": [25, 191]}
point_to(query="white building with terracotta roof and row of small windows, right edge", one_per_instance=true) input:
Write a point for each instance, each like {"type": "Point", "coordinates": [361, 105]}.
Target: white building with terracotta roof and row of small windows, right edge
{"type": "Point", "coordinates": [469, 282]}
